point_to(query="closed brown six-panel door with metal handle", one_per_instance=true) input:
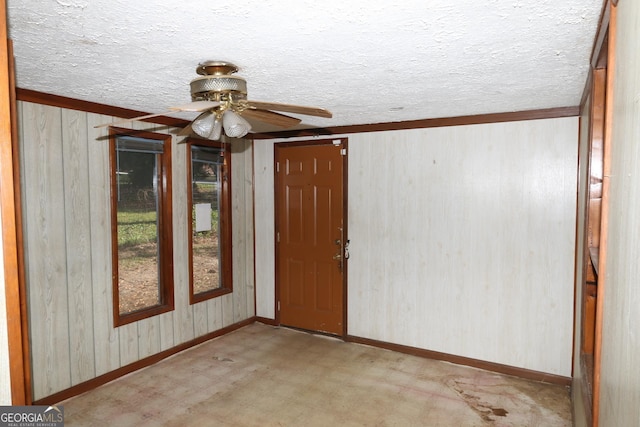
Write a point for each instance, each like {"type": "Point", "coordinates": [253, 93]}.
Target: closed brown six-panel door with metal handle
{"type": "Point", "coordinates": [310, 234]}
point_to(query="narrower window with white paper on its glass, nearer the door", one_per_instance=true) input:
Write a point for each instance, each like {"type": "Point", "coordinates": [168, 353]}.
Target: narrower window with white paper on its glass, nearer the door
{"type": "Point", "coordinates": [210, 225]}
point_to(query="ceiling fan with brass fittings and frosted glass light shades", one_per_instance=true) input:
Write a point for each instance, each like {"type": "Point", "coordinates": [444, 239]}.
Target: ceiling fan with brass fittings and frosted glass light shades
{"type": "Point", "coordinates": [221, 98]}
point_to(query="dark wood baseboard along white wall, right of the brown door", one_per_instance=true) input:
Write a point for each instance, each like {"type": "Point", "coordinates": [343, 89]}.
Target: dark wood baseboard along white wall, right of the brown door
{"type": "Point", "coordinates": [466, 361]}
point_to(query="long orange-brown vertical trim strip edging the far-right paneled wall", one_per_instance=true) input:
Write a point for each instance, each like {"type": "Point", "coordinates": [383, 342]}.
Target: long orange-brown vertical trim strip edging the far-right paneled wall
{"type": "Point", "coordinates": [604, 214]}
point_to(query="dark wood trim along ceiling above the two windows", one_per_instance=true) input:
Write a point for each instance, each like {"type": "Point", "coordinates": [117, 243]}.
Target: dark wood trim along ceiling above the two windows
{"type": "Point", "coordinates": [28, 95]}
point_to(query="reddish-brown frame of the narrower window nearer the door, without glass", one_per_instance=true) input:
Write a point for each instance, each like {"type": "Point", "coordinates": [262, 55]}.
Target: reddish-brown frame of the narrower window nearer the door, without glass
{"type": "Point", "coordinates": [224, 217]}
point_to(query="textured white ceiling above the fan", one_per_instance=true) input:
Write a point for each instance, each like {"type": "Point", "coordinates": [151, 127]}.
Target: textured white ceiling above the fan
{"type": "Point", "coordinates": [366, 61]}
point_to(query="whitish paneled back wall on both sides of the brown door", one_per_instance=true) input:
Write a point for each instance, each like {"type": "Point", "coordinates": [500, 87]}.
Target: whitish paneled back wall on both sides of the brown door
{"type": "Point", "coordinates": [462, 240]}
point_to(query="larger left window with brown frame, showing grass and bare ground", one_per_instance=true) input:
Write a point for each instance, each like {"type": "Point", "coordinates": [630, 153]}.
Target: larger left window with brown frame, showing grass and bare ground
{"type": "Point", "coordinates": [141, 225]}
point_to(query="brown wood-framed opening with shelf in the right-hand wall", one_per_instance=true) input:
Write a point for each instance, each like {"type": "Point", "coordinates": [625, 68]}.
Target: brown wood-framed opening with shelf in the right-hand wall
{"type": "Point", "coordinates": [592, 258]}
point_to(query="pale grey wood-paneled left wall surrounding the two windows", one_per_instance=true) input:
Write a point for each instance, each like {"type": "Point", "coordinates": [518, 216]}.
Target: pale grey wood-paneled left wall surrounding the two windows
{"type": "Point", "coordinates": [65, 176]}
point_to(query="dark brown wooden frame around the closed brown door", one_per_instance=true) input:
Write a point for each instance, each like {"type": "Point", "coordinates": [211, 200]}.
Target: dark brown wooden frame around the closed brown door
{"type": "Point", "coordinates": [345, 181]}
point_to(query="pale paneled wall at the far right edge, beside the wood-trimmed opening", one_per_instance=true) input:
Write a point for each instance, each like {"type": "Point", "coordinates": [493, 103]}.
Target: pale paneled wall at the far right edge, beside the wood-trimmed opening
{"type": "Point", "coordinates": [620, 362]}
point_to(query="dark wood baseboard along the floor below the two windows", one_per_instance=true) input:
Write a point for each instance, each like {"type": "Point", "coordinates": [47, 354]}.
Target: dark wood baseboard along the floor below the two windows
{"type": "Point", "coordinates": [135, 366]}
